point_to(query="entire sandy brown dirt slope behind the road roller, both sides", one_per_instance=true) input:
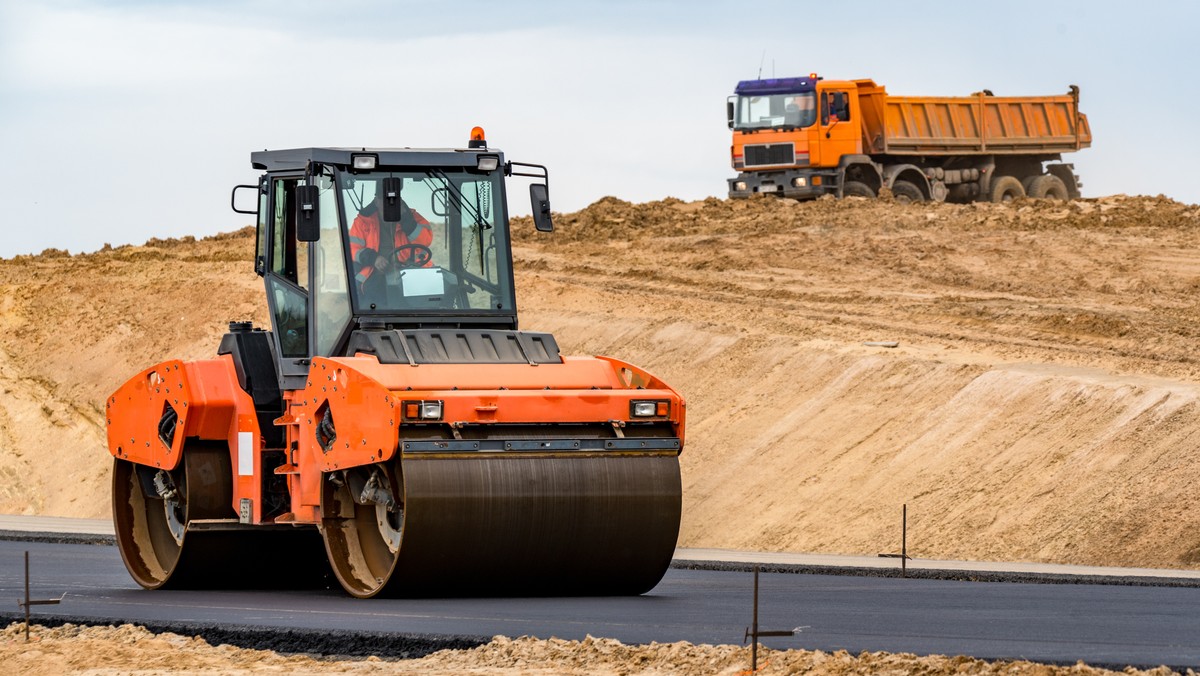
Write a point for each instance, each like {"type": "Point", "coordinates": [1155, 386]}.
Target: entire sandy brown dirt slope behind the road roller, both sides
{"type": "Point", "coordinates": [1041, 405]}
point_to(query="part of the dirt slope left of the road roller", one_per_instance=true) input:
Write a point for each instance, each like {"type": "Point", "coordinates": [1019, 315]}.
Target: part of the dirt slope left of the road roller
{"type": "Point", "coordinates": [73, 328]}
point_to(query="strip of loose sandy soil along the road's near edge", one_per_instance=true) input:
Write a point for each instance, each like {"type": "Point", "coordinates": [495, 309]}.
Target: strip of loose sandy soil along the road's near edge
{"type": "Point", "coordinates": [129, 650]}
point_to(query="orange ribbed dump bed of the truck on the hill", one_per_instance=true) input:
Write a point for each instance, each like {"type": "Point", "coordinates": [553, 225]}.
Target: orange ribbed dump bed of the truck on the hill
{"type": "Point", "coordinates": [967, 125]}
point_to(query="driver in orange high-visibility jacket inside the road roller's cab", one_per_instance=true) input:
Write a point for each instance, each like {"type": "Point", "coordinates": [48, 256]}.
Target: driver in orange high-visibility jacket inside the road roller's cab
{"type": "Point", "coordinates": [379, 247]}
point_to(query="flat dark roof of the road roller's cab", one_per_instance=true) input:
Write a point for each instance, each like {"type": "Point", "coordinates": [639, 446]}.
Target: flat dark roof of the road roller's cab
{"type": "Point", "coordinates": [298, 159]}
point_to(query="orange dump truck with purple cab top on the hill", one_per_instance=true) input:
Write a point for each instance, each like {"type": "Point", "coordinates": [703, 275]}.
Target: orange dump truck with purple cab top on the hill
{"type": "Point", "coordinates": [805, 137]}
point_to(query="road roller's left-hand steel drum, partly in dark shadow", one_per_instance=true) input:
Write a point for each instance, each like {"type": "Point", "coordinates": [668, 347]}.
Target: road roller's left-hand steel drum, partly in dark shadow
{"type": "Point", "coordinates": [152, 516]}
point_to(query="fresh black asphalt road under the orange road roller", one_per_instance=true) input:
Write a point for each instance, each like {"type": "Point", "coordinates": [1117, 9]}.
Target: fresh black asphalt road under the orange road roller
{"type": "Point", "coordinates": [1102, 625]}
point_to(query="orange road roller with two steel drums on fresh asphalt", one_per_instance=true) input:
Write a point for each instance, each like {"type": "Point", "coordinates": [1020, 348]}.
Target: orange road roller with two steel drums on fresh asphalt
{"type": "Point", "coordinates": [394, 432]}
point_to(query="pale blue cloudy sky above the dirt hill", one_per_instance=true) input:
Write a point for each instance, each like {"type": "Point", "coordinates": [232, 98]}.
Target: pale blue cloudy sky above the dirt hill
{"type": "Point", "coordinates": [124, 121]}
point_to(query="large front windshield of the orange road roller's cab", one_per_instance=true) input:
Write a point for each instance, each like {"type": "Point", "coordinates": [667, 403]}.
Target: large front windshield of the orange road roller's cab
{"type": "Point", "coordinates": [446, 254]}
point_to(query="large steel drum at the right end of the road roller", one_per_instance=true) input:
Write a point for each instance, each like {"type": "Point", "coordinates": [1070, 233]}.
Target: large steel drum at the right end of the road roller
{"type": "Point", "coordinates": [506, 525]}
